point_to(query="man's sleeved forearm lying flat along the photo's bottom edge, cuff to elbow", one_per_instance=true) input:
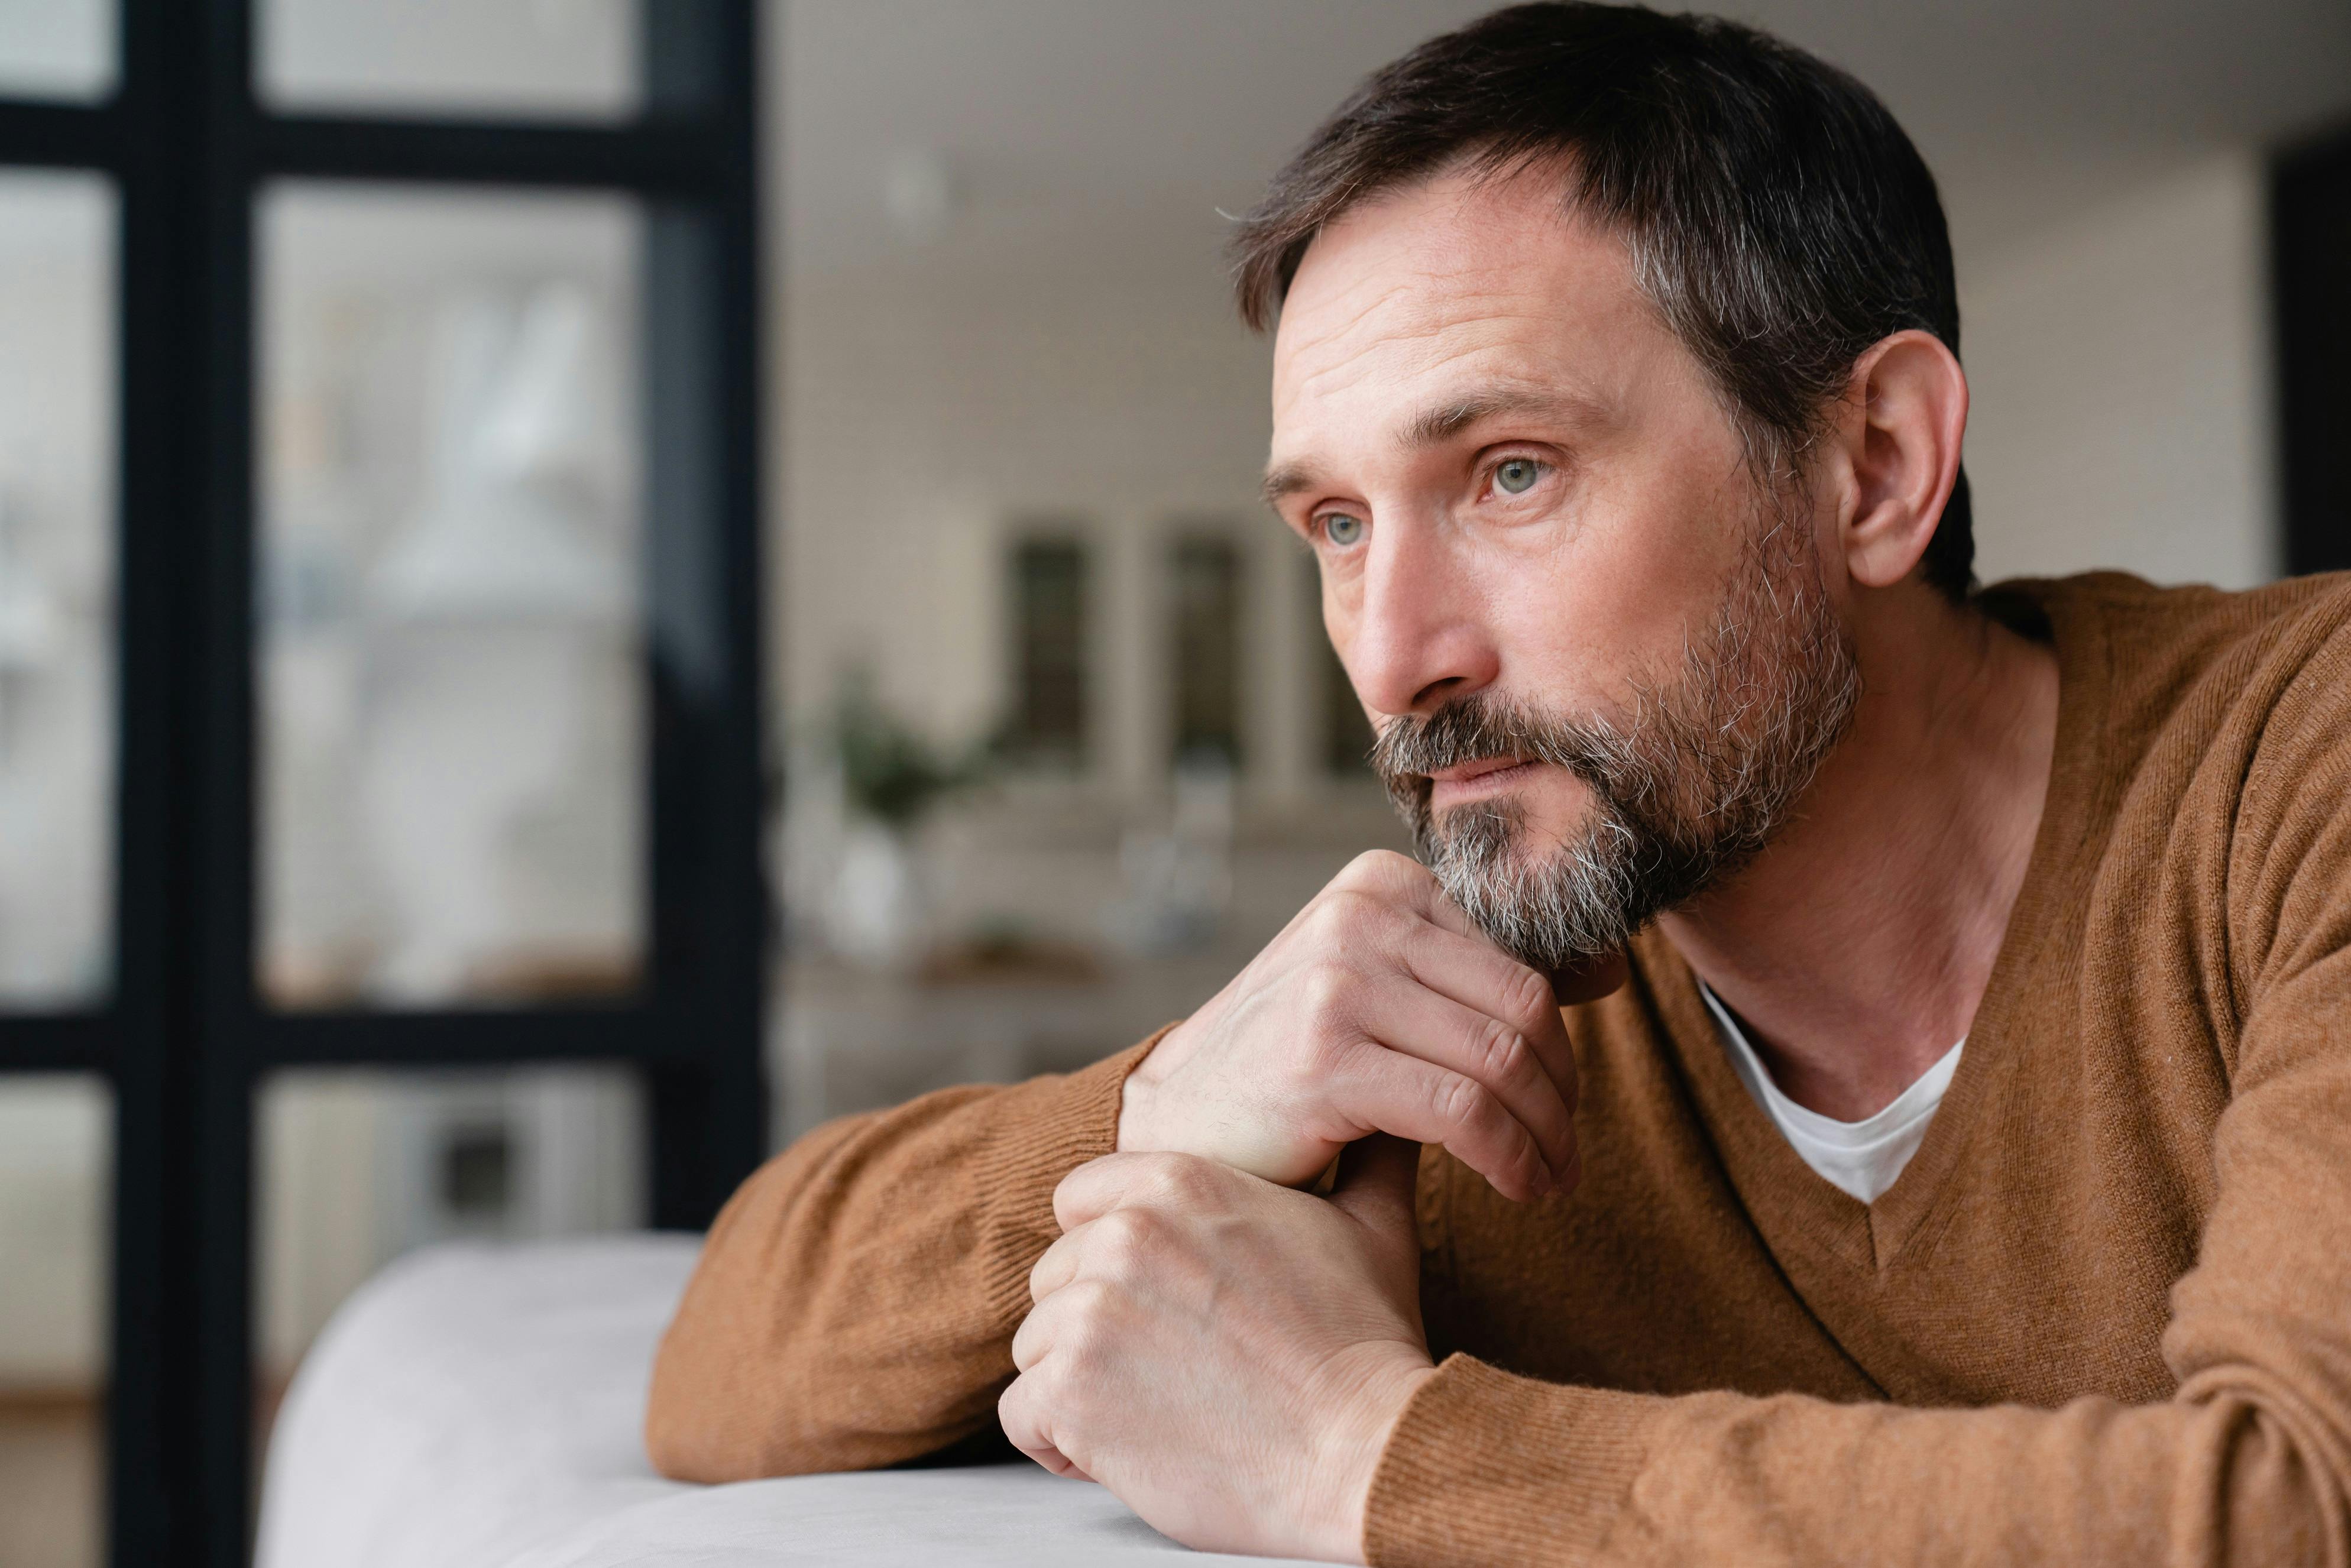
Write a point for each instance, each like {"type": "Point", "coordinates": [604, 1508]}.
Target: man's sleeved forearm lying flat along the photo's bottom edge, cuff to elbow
{"type": "Point", "coordinates": [1487, 1468]}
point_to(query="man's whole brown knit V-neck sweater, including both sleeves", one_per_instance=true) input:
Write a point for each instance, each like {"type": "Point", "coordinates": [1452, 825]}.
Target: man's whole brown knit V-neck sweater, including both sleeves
{"type": "Point", "coordinates": [2103, 1318]}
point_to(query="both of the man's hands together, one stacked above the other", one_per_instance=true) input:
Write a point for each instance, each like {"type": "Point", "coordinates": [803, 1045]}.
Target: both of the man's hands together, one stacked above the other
{"type": "Point", "coordinates": [1221, 1351]}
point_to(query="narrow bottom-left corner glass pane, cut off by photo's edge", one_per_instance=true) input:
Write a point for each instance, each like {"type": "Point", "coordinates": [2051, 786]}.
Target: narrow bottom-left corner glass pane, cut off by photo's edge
{"type": "Point", "coordinates": [55, 1202]}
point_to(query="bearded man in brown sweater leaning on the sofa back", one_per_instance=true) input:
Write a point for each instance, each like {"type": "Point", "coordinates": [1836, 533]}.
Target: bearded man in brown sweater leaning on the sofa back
{"type": "Point", "coordinates": [1948, 1148]}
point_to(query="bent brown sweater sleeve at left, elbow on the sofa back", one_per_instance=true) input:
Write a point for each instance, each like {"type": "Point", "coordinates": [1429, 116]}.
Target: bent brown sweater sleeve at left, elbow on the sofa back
{"type": "Point", "coordinates": [857, 1299]}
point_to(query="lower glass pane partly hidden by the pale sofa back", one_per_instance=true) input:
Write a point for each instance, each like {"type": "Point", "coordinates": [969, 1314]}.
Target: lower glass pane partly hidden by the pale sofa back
{"type": "Point", "coordinates": [359, 1167]}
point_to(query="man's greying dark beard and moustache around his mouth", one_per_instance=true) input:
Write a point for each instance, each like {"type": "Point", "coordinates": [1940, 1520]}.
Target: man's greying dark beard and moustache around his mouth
{"type": "Point", "coordinates": [1689, 784]}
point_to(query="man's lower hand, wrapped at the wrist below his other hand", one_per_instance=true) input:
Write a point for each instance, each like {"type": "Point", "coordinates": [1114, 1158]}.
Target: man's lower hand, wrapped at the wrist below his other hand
{"type": "Point", "coordinates": [1226, 1355]}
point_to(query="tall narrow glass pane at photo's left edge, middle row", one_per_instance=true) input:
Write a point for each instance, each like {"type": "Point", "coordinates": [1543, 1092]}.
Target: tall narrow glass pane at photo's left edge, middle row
{"type": "Point", "coordinates": [58, 575]}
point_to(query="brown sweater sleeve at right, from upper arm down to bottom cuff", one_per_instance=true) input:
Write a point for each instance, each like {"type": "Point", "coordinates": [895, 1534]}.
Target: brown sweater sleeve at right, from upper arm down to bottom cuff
{"type": "Point", "coordinates": [2246, 1463]}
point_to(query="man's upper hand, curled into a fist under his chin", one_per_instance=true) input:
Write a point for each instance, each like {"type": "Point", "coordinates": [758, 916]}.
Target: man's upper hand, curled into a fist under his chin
{"type": "Point", "coordinates": [1379, 1010]}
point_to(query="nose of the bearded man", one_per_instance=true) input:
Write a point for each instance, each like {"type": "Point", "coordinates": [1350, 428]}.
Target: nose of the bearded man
{"type": "Point", "coordinates": [1416, 638]}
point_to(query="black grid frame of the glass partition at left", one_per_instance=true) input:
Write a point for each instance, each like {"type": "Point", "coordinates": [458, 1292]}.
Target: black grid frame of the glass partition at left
{"type": "Point", "coordinates": [185, 1038]}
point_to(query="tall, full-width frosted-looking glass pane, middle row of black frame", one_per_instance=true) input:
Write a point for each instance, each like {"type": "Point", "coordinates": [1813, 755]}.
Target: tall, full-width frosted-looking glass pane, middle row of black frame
{"type": "Point", "coordinates": [453, 688]}
